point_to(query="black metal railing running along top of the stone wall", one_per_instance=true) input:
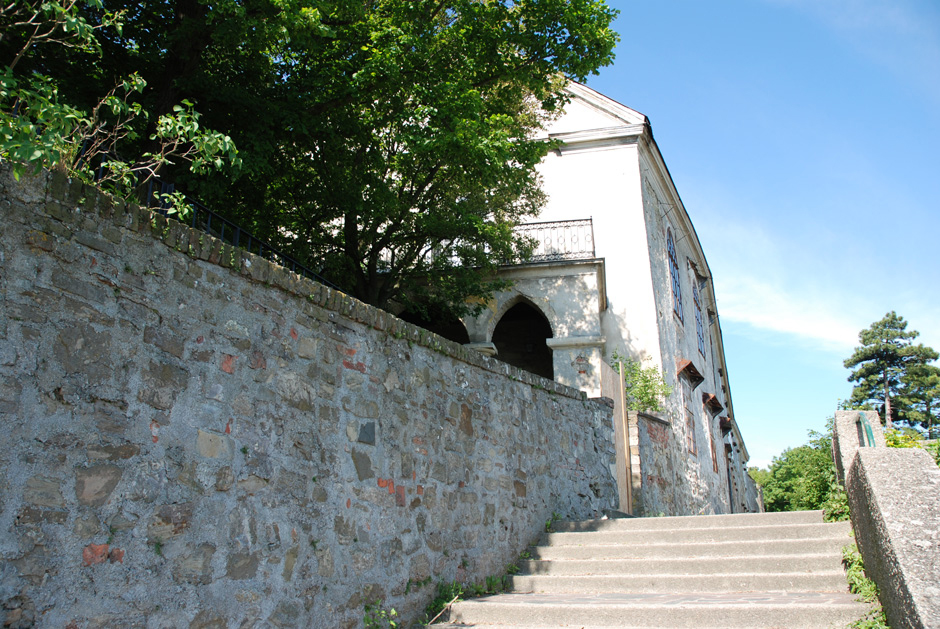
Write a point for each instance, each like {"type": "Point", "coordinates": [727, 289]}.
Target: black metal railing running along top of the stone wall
{"type": "Point", "coordinates": [202, 218]}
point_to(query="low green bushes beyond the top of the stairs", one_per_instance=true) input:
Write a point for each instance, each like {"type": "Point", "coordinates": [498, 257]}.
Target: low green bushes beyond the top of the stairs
{"type": "Point", "coordinates": [804, 478]}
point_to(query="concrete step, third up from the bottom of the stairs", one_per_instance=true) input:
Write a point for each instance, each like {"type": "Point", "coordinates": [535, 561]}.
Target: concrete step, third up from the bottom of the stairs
{"type": "Point", "coordinates": [822, 562]}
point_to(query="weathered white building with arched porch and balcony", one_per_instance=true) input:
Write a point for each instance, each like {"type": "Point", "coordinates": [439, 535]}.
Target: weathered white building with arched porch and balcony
{"type": "Point", "coordinates": [619, 269]}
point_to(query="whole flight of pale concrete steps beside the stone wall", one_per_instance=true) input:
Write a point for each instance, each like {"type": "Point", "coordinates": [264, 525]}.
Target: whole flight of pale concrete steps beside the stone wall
{"type": "Point", "coordinates": [742, 570]}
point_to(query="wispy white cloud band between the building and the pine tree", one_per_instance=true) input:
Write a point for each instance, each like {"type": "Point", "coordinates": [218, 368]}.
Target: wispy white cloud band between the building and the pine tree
{"type": "Point", "coordinates": [822, 298]}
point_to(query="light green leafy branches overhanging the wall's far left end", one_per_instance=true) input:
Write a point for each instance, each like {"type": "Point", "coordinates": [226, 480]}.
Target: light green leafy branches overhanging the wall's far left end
{"type": "Point", "coordinates": [39, 129]}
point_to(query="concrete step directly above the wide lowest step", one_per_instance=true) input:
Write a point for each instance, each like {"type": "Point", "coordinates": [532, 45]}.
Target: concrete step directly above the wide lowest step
{"type": "Point", "coordinates": [828, 581]}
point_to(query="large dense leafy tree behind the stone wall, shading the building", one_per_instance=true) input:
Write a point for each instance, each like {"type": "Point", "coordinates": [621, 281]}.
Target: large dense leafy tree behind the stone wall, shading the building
{"type": "Point", "coordinates": [388, 144]}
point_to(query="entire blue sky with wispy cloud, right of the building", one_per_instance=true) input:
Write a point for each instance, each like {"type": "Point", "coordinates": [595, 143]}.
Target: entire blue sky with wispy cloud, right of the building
{"type": "Point", "coordinates": [804, 139]}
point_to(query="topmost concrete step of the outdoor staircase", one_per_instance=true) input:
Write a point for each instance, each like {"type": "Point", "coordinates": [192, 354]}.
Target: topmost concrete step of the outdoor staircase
{"type": "Point", "coordinates": [691, 522]}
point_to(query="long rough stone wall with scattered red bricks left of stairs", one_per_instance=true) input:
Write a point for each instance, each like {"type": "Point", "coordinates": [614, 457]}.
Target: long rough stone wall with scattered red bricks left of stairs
{"type": "Point", "coordinates": [194, 437]}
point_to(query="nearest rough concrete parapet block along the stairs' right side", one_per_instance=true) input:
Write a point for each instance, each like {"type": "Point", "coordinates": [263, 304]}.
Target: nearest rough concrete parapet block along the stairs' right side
{"type": "Point", "coordinates": [894, 495]}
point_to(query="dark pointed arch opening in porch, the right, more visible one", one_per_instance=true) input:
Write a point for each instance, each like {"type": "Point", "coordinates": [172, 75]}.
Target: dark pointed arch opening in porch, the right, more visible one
{"type": "Point", "coordinates": [520, 340]}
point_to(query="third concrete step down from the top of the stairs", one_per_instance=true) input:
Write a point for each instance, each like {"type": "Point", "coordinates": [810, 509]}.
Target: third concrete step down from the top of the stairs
{"type": "Point", "coordinates": [831, 545]}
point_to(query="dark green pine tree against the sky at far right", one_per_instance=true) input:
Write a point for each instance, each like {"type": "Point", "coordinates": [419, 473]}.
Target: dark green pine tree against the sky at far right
{"type": "Point", "coordinates": [886, 353]}
